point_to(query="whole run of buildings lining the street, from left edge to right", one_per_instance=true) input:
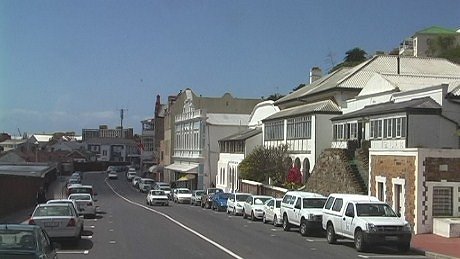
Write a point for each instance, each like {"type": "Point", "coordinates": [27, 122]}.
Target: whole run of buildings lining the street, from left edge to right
{"type": "Point", "coordinates": [388, 127]}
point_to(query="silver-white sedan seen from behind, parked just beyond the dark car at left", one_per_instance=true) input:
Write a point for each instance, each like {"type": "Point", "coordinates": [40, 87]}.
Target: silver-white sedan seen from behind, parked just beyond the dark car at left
{"type": "Point", "coordinates": [58, 220]}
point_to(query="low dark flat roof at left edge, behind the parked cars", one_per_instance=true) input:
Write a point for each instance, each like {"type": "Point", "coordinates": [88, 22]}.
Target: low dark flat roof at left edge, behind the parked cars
{"type": "Point", "coordinates": [32, 170]}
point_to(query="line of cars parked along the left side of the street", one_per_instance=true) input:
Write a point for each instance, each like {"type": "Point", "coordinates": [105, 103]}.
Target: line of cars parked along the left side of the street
{"type": "Point", "coordinates": [51, 220]}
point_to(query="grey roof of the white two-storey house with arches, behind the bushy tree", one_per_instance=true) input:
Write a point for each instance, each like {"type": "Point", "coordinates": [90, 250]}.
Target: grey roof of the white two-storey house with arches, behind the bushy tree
{"type": "Point", "coordinates": [327, 106]}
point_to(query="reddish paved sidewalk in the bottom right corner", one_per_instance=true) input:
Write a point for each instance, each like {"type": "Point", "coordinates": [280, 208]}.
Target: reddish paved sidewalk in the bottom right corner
{"type": "Point", "coordinates": [437, 246]}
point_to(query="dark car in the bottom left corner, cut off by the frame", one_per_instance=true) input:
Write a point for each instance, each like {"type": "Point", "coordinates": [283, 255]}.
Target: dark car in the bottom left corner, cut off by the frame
{"type": "Point", "coordinates": [25, 241]}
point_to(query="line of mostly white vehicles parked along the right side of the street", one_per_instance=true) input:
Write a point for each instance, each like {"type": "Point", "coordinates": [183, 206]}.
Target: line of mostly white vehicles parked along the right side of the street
{"type": "Point", "coordinates": [362, 218]}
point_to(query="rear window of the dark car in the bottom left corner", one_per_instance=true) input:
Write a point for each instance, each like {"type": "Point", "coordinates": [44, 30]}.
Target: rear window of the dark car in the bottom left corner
{"type": "Point", "coordinates": [17, 240]}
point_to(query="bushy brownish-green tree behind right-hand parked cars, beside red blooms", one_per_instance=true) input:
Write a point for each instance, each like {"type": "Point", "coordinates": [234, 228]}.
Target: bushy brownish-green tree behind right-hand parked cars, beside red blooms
{"type": "Point", "coordinates": [263, 163]}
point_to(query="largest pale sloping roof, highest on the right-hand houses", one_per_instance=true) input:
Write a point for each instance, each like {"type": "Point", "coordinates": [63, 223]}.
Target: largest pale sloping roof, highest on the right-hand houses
{"type": "Point", "coordinates": [358, 76]}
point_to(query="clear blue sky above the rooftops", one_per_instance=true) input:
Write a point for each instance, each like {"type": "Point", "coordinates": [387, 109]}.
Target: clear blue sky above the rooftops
{"type": "Point", "coordinates": [68, 65]}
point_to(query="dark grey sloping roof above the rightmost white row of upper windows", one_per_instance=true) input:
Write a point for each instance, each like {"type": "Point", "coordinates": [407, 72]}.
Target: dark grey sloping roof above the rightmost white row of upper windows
{"type": "Point", "coordinates": [425, 104]}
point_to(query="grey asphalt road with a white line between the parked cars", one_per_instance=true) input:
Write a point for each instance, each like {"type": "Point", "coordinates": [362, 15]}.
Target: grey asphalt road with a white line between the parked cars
{"type": "Point", "coordinates": [127, 228]}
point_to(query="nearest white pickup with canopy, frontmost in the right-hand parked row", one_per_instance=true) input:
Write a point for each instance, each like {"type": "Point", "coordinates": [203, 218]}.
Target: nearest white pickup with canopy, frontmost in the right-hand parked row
{"type": "Point", "coordinates": [366, 220]}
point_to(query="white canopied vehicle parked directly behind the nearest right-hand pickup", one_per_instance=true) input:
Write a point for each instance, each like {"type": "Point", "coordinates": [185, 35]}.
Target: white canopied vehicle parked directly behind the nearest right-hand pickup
{"type": "Point", "coordinates": [303, 210]}
